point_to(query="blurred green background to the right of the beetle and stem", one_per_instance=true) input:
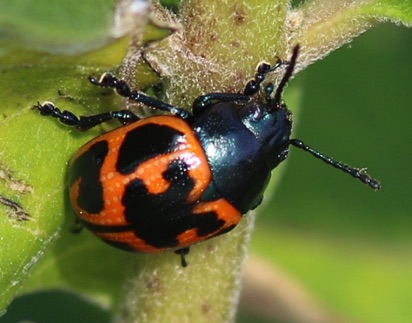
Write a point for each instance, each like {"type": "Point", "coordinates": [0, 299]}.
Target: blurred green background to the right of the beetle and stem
{"type": "Point", "coordinates": [348, 247]}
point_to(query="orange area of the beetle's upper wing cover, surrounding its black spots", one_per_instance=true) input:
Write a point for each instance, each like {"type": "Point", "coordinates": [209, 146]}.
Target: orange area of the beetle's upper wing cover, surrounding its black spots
{"type": "Point", "coordinates": [149, 172]}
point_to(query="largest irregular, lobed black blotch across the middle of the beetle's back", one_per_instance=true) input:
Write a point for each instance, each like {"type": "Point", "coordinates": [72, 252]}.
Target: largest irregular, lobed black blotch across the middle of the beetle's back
{"type": "Point", "coordinates": [159, 218]}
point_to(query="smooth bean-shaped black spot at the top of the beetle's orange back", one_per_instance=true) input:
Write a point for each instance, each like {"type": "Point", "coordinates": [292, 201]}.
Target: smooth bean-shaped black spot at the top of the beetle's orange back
{"type": "Point", "coordinates": [143, 143]}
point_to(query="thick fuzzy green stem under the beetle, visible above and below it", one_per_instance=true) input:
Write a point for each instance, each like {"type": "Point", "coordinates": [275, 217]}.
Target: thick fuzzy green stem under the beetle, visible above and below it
{"type": "Point", "coordinates": [217, 49]}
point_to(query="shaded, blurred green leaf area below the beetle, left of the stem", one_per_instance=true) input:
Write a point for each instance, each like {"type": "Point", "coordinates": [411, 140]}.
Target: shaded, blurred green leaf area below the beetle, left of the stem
{"type": "Point", "coordinates": [80, 263]}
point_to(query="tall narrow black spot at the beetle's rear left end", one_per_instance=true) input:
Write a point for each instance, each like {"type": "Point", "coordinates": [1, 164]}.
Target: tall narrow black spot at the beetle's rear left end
{"type": "Point", "coordinates": [86, 168]}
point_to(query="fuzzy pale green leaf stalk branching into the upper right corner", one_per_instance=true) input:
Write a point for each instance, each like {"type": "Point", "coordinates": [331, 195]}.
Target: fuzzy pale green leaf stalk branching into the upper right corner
{"type": "Point", "coordinates": [323, 26]}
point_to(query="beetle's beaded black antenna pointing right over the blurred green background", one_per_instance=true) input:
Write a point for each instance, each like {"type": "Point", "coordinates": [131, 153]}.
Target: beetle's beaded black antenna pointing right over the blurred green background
{"type": "Point", "coordinates": [355, 172]}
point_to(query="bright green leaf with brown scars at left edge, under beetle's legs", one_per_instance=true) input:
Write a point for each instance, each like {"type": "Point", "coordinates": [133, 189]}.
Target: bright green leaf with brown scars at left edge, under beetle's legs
{"type": "Point", "coordinates": [33, 158]}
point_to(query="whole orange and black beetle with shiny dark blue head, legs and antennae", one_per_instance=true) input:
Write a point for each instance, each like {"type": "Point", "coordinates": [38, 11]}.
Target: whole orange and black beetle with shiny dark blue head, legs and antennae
{"type": "Point", "coordinates": [167, 182]}
